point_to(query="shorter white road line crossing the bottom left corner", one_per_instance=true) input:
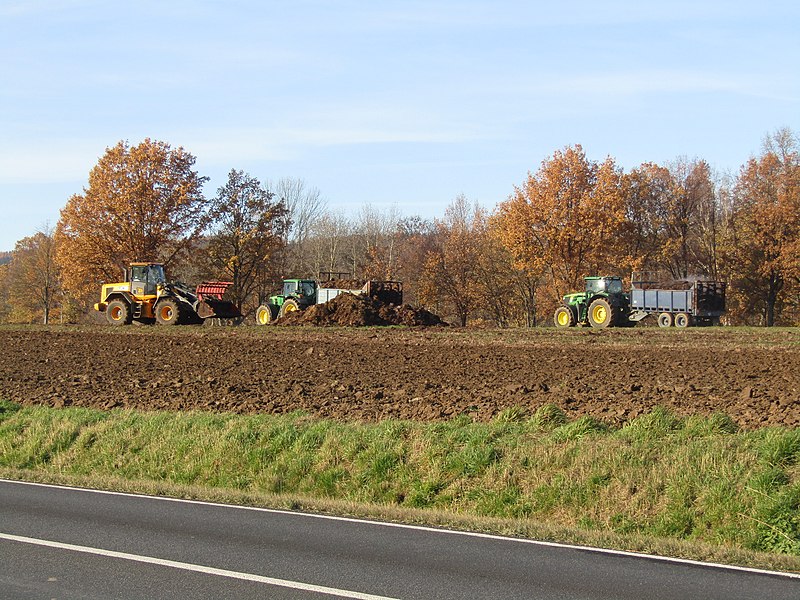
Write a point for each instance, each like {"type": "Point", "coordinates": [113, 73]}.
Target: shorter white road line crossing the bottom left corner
{"type": "Point", "coordinates": [295, 585]}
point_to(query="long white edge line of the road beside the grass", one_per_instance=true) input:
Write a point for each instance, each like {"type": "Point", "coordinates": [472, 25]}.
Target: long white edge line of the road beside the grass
{"type": "Point", "coordinates": [488, 536]}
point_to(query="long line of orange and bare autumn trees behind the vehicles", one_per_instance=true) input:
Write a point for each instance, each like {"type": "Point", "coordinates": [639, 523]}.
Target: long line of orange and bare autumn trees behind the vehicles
{"type": "Point", "coordinates": [505, 266]}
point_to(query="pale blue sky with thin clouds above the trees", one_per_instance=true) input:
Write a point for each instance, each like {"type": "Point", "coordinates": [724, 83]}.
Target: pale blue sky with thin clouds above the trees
{"type": "Point", "coordinates": [393, 105]}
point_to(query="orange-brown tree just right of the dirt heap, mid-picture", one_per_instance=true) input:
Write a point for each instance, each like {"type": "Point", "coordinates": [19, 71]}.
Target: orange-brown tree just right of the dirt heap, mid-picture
{"type": "Point", "coordinates": [451, 273]}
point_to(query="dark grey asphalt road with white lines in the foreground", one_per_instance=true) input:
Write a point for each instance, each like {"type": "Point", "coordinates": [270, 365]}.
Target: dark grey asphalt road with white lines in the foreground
{"type": "Point", "coordinates": [58, 542]}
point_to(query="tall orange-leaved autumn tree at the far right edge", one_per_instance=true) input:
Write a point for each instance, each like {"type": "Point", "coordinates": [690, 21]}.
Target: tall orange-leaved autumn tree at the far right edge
{"type": "Point", "coordinates": [763, 242]}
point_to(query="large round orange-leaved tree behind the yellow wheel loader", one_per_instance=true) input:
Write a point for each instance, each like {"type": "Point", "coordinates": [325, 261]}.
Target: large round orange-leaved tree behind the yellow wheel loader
{"type": "Point", "coordinates": [143, 203]}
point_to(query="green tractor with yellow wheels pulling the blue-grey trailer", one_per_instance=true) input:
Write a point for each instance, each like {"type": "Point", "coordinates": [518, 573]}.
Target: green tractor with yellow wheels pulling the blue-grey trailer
{"type": "Point", "coordinates": [602, 304]}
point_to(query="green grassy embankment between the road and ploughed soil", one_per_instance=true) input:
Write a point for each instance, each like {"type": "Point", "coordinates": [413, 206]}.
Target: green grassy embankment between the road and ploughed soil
{"type": "Point", "coordinates": [693, 487]}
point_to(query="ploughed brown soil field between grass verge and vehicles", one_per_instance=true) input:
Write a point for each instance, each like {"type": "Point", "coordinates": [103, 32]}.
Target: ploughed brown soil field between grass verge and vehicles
{"type": "Point", "coordinates": [428, 374]}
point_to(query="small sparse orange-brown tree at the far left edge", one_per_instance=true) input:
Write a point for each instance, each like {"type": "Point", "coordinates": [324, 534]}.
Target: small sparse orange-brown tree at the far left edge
{"type": "Point", "coordinates": [34, 284]}
